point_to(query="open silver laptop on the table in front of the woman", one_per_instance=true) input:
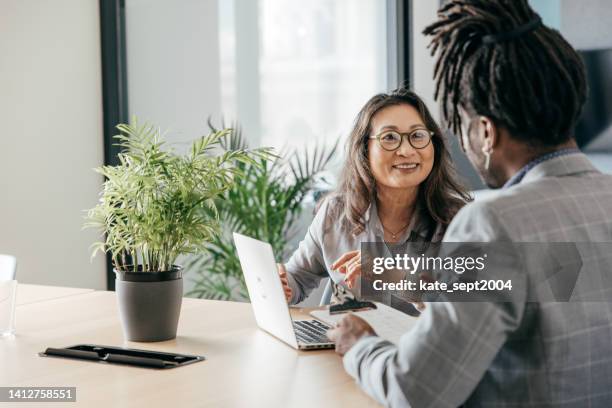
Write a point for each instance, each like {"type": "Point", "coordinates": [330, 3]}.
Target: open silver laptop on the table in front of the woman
{"type": "Point", "coordinates": [268, 298]}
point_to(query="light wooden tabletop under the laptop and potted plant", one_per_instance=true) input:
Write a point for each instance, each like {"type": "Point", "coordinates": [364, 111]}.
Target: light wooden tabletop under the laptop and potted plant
{"type": "Point", "coordinates": [244, 366]}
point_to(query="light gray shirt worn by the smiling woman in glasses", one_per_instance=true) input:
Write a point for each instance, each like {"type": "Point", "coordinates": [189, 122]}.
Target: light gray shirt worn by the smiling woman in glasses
{"type": "Point", "coordinates": [327, 240]}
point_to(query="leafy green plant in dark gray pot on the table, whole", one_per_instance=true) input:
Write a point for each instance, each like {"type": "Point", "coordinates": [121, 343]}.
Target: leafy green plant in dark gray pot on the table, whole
{"type": "Point", "coordinates": [156, 205]}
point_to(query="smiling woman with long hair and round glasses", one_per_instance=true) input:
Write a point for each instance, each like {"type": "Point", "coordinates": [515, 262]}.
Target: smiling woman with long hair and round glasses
{"type": "Point", "coordinates": [398, 185]}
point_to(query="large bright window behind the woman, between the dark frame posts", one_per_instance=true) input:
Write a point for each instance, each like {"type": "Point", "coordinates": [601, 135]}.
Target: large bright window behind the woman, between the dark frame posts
{"type": "Point", "coordinates": [291, 72]}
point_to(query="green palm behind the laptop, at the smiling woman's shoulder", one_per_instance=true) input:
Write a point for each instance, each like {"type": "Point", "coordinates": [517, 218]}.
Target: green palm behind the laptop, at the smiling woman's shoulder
{"type": "Point", "coordinates": [264, 205]}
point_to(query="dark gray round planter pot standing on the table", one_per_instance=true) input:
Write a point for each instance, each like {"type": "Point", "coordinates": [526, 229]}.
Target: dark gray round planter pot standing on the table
{"type": "Point", "coordinates": [149, 304]}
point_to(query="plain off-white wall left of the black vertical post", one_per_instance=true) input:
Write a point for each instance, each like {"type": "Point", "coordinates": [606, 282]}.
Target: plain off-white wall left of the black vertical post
{"type": "Point", "coordinates": [50, 138]}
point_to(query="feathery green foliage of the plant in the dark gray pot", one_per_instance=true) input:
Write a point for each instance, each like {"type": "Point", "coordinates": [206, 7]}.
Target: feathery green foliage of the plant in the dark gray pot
{"type": "Point", "coordinates": [156, 204]}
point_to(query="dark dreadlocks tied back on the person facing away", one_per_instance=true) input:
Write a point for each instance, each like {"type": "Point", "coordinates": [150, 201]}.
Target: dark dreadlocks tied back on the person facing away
{"type": "Point", "coordinates": [531, 82]}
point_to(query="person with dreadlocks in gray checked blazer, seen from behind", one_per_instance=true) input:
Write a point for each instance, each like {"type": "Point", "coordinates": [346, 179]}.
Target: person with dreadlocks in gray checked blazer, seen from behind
{"type": "Point", "coordinates": [513, 90]}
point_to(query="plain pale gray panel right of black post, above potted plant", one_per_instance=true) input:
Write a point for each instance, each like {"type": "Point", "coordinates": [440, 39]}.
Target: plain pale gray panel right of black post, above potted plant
{"type": "Point", "coordinates": [173, 65]}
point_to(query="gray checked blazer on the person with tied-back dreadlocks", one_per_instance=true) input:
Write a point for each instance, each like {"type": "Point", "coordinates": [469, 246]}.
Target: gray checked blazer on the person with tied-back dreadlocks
{"type": "Point", "coordinates": [513, 354]}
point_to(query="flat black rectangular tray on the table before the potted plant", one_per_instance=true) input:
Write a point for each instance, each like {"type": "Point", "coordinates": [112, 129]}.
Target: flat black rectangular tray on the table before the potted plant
{"type": "Point", "coordinates": [118, 355]}
